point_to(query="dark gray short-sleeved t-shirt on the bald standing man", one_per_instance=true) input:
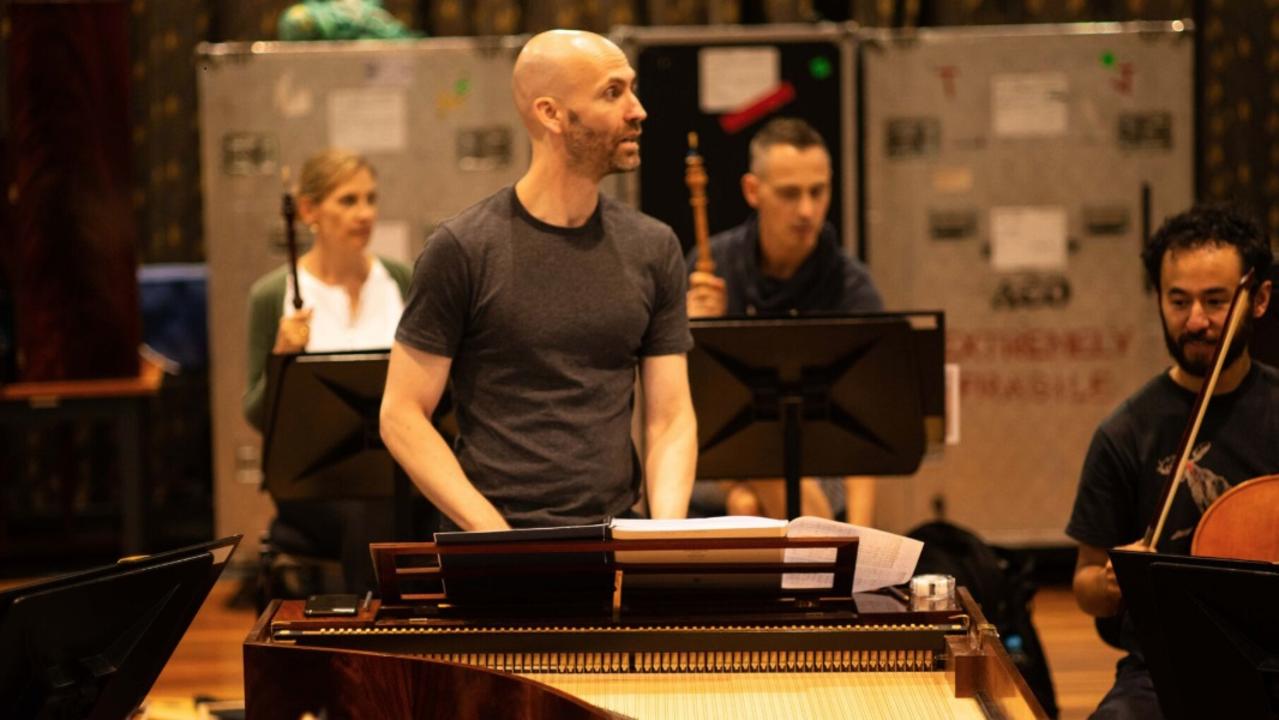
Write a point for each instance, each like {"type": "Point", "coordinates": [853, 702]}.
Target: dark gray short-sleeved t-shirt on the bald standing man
{"type": "Point", "coordinates": [545, 327]}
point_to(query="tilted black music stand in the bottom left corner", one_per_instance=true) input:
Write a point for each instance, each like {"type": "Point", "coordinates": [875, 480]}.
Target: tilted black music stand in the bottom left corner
{"type": "Point", "coordinates": [93, 644]}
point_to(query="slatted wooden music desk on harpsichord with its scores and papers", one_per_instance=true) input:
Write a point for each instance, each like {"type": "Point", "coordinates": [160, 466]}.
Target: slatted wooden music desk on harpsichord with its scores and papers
{"type": "Point", "coordinates": [647, 560]}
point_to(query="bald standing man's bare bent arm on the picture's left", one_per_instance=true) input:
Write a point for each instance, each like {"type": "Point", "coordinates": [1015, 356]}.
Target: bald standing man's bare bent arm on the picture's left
{"type": "Point", "coordinates": [415, 383]}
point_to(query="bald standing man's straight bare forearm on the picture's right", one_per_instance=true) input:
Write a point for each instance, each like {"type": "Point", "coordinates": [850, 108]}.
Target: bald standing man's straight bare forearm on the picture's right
{"type": "Point", "coordinates": [671, 435]}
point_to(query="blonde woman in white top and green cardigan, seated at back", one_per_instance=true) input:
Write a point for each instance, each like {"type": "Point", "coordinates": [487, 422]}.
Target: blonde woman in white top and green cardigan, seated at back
{"type": "Point", "coordinates": [352, 300]}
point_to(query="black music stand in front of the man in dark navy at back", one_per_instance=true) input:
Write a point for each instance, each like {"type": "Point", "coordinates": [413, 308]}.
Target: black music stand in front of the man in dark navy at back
{"type": "Point", "coordinates": [810, 396]}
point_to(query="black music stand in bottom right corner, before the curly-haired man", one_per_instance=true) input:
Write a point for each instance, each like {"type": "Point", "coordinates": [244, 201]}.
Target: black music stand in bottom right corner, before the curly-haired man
{"type": "Point", "coordinates": [1209, 632]}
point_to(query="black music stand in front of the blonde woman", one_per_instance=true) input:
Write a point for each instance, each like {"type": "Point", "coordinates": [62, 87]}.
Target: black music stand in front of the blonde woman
{"type": "Point", "coordinates": [323, 439]}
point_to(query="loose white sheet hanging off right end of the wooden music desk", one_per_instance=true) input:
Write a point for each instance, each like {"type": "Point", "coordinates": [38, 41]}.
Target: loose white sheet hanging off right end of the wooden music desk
{"type": "Point", "coordinates": [883, 558]}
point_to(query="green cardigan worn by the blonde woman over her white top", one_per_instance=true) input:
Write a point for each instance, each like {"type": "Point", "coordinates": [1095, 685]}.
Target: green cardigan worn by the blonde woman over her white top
{"type": "Point", "coordinates": [265, 309]}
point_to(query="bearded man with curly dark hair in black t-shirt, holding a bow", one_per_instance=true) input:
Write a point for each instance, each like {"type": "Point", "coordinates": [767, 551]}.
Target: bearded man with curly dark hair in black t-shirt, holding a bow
{"type": "Point", "coordinates": [1195, 262]}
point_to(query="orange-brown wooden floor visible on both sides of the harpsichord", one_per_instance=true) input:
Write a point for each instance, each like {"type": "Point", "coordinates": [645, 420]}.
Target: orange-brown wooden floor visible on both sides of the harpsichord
{"type": "Point", "coordinates": [209, 663]}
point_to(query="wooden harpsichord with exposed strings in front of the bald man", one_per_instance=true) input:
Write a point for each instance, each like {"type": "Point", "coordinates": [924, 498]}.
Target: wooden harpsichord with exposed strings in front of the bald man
{"type": "Point", "coordinates": [728, 629]}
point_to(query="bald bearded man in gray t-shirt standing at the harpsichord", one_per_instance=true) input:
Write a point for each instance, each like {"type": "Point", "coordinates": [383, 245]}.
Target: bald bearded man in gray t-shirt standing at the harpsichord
{"type": "Point", "coordinates": [540, 305]}
